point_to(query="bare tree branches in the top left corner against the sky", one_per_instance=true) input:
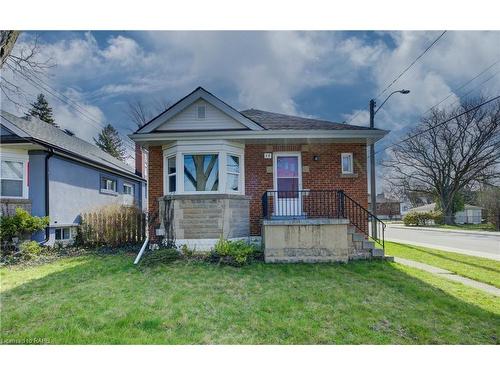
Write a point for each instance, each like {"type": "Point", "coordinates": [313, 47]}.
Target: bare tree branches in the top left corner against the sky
{"type": "Point", "coordinates": [24, 64]}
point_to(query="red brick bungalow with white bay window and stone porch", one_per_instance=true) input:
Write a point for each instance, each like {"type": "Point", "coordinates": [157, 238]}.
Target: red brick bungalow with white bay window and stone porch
{"type": "Point", "coordinates": [298, 184]}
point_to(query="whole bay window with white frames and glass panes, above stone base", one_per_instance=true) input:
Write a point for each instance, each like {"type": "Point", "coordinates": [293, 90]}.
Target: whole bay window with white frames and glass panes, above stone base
{"type": "Point", "coordinates": [195, 168]}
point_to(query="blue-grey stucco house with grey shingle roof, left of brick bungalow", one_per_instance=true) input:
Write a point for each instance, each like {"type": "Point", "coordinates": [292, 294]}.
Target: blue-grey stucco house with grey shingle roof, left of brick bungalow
{"type": "Point", "coordinates": [50, 172]}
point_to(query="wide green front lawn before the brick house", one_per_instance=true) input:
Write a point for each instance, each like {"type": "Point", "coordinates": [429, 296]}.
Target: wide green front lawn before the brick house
{"type": "Point", "coordinates": [106, 300]}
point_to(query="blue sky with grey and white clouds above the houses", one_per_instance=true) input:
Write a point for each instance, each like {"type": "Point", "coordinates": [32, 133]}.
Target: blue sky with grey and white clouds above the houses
{"type": "Point", "coordinates": [330, 75]}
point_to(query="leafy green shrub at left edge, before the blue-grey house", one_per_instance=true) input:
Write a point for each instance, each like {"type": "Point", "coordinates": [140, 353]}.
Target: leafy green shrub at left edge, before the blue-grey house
{"type": "Point", "coordinates": [20, 225]}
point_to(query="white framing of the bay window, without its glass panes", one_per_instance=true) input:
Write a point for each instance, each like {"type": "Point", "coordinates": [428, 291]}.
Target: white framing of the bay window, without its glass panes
{"type": "Point", "coordinates": [222, 148]}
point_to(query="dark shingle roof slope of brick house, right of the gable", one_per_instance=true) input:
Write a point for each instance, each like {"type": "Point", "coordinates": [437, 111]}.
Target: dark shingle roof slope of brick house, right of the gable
{"type": "Point", "coordinates": [278, 121]}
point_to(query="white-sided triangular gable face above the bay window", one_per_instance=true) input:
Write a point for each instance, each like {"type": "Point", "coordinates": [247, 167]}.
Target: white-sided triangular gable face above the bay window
{"type": "Point", "coordinates": [188, 119]}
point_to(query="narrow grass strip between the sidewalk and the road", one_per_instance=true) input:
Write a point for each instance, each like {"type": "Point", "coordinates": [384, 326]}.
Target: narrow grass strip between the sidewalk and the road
{"type": "Point", "coordinates": [477, 268]}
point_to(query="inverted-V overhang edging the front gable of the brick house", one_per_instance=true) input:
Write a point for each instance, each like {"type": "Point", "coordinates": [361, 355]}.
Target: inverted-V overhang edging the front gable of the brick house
{"type": "Point", "coordinates": [198, 93]}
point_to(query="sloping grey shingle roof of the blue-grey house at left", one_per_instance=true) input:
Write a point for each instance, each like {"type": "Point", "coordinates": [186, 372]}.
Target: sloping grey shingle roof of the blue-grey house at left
{"type": "Point", "coordinates": [35, 130]}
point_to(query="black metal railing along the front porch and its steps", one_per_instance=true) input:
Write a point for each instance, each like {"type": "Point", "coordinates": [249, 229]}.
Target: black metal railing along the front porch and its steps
{"type": "Point", "coordinates": [315, 204]}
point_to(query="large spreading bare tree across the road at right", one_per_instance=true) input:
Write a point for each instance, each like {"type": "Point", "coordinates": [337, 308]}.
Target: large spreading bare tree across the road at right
{"type": "Point", "coordinates": [444, 160]}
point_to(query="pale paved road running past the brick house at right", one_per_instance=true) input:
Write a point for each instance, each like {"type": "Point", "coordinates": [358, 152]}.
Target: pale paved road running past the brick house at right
{"type": "Point", "coordinates": [484, 245]}
